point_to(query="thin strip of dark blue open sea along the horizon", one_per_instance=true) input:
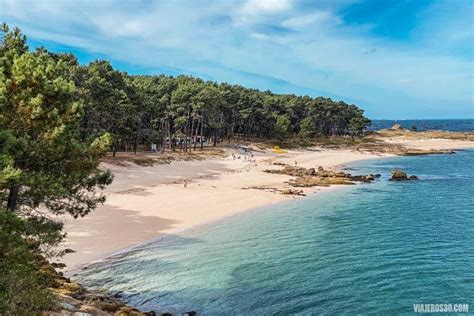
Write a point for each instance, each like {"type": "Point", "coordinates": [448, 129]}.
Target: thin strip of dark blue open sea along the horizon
{"type": "Point", "coordinates": [458, 125]}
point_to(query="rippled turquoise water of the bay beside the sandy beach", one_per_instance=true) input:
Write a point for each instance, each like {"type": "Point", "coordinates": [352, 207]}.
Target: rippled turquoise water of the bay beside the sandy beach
{"type": "Point", "coordinates": [372, 249]}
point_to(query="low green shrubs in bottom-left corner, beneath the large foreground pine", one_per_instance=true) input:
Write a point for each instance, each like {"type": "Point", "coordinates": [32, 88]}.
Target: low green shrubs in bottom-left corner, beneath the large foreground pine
{"type": "Point", "coordinates": [23, 286]}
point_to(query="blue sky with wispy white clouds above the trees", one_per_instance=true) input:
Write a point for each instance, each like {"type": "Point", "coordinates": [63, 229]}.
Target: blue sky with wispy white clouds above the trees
{"type": "Point", "coordinates": [396, 59]}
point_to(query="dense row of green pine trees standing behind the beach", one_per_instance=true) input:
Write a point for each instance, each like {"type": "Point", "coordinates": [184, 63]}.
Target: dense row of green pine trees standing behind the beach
{"type": "Point", "coordinates": [167, 110]}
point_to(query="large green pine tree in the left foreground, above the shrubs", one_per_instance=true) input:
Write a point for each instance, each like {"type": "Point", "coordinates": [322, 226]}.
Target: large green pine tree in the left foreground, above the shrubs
{"type": "Point", "coordinates": [43, 161]}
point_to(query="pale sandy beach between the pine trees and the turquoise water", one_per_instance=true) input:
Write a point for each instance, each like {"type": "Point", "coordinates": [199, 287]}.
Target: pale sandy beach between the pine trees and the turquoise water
{"type": "Point", "coordinates": [146, 202]}
